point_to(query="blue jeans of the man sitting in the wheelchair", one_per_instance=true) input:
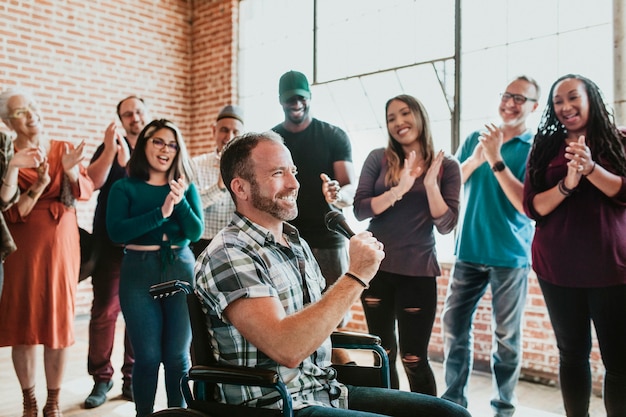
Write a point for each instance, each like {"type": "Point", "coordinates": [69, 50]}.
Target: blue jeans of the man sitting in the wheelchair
{"type": "Point", "coordinates": [370, 402]}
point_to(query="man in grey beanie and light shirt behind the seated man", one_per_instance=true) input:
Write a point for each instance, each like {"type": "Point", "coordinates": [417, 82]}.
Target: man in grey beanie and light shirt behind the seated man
{"type": "Point", "coordinates": [216, 201]}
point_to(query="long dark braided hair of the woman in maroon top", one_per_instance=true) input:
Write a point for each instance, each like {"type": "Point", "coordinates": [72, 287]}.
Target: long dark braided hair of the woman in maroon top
{"type": "Point", "coordinates": [602, 136]}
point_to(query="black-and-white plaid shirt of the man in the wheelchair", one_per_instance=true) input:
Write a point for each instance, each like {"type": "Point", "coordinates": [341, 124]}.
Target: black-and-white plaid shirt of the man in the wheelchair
{"type": "Point", "coordinates": [245, 261]}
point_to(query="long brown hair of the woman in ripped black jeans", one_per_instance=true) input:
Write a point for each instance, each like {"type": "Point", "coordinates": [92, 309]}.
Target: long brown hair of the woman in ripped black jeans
{"type": "Point", "coordinates": [394, 152]}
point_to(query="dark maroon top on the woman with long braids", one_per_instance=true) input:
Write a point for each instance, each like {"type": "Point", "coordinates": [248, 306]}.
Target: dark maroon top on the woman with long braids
{"type": "Point", "coordinates": [582, 242]}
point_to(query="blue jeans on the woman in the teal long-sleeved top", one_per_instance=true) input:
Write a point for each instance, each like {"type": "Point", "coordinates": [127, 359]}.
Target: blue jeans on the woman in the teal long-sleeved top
{"type": "Point", "coordinates": [159, 330]}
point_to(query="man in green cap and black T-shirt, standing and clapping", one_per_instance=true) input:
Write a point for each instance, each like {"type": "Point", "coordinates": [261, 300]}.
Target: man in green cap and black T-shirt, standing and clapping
{"type": "Point", "coordinates": [323, 155]}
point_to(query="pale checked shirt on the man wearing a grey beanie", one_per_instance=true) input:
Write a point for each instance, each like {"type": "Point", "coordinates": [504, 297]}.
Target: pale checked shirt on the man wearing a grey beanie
{"type": "Point", "coordinates": [217, 204]}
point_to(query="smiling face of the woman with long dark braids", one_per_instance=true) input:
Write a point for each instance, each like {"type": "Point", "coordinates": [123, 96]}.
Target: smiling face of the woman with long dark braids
{"type": "Point", "coordinates": [571, 106]}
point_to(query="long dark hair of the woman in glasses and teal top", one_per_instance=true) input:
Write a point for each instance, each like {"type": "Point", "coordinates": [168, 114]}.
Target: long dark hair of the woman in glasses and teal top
{"type": "Point", "coordinates": [138, 165]}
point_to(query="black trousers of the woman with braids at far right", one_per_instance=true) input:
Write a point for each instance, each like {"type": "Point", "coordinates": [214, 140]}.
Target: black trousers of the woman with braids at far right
{"type": "Point", "coordinates": [571, 312]}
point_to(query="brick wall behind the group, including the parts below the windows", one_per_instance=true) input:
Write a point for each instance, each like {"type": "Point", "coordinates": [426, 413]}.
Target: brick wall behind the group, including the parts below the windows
{"type": "Point", "coordinates": [81, 57]}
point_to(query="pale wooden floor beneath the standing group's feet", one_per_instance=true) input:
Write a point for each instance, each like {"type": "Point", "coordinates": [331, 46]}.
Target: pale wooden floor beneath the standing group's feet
{"type": "Point", "coordinates": [535, 400]}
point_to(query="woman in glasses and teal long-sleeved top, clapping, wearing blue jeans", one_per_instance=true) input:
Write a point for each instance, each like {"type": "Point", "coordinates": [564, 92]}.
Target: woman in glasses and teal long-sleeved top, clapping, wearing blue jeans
{"type": "Point", "coordinates": [156, 212]}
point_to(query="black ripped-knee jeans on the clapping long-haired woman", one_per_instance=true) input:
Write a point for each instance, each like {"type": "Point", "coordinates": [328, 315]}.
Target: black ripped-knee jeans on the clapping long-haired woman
{"type": "Point", "coordinates": [412, 302]}
